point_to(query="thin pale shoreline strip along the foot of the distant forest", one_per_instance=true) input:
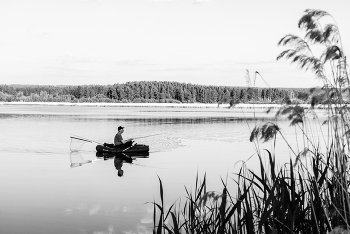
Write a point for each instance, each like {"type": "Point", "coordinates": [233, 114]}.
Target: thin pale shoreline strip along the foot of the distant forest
{"type": "Point", "coordinates": [166, 105]}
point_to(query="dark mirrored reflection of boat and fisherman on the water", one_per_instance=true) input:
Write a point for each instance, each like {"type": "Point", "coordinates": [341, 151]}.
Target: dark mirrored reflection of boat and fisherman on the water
{"type": "Point", "coordinates": [121, 158]}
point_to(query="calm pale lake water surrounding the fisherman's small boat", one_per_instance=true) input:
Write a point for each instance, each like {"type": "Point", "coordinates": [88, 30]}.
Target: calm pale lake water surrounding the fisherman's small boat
{"type": "Point", "coordinates": [46, 188]}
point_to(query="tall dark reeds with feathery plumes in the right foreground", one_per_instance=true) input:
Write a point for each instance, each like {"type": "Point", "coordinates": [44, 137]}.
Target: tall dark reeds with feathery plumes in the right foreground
{"type": "Point", "coordinates": [308, 194]}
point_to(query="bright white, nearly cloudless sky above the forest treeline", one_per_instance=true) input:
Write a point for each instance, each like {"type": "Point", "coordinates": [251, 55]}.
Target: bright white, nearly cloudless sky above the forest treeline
{"type": "Point", "coordinates": [209, 42]}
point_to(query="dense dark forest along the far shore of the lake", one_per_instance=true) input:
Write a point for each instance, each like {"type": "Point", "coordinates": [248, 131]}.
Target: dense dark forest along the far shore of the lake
{"type": "Point", "coordinates": [151, 92]}
